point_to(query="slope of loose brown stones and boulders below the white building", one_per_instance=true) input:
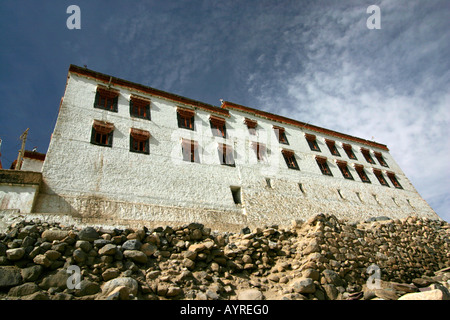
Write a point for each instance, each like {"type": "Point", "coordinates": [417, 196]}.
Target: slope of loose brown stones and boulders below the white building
{"type": "Point", "coordinates": [322, 259]}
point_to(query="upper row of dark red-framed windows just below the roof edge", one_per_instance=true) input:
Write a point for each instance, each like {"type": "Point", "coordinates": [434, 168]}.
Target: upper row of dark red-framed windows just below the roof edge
{"type": "Point", "coordinates": [140, 107]}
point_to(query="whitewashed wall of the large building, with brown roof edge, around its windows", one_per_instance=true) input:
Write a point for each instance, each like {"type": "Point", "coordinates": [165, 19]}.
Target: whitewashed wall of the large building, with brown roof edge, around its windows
{"type": "Point", "coordinates": [113, 183]}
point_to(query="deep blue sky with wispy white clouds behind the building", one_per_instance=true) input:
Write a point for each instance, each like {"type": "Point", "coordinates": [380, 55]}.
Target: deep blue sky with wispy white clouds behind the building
{"type": "Point", "coordinates": [314, 61]}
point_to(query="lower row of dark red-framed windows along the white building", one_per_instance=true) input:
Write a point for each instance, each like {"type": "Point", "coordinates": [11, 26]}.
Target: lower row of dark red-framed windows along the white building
{"type": "Point", "coordinates": [102, 134]}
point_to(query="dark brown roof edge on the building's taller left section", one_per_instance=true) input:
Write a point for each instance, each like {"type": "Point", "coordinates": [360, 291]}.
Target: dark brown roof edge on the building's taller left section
{"type": "Point", "coordinates": [139, 87]}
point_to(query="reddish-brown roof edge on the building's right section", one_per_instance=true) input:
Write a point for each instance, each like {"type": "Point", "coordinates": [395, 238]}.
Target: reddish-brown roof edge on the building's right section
{"type": "Point", "coordinates": [274, 117]}
